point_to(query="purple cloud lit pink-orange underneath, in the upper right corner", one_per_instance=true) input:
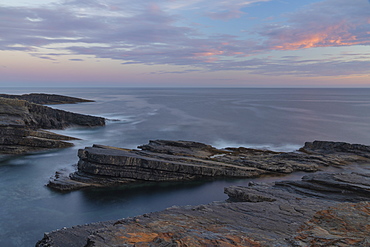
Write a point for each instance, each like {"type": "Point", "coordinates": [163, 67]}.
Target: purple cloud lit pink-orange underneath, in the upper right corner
{"type": "Point", "coordinates": [328, 23]}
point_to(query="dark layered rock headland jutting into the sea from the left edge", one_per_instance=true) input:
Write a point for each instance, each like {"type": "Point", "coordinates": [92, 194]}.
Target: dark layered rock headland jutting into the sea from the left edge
{"type": "Point", "coordinates": [22, 123]}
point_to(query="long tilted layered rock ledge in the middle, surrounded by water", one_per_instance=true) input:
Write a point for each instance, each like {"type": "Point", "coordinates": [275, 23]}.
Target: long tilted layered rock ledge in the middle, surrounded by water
{"type": "Point", "coordinates": [161, 160]}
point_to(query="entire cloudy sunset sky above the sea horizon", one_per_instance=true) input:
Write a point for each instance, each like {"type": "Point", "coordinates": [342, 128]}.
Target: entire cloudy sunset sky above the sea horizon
{"type": "Point", "coordinates": [180, 43]}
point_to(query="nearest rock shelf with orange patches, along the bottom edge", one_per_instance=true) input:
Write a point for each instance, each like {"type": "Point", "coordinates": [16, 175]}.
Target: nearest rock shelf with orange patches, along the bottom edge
{"type": "Point", "coordinates": [310, 212]}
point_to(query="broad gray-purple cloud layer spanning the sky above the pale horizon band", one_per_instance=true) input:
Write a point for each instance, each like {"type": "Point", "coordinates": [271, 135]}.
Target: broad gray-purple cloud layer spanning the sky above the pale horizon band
{"type": "Point", "coordinates": [149, 32]}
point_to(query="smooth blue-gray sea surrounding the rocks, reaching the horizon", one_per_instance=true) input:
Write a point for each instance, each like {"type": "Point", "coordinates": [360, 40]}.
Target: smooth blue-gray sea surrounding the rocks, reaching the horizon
{"type": "Point", "coordinates": [280, 119]}
